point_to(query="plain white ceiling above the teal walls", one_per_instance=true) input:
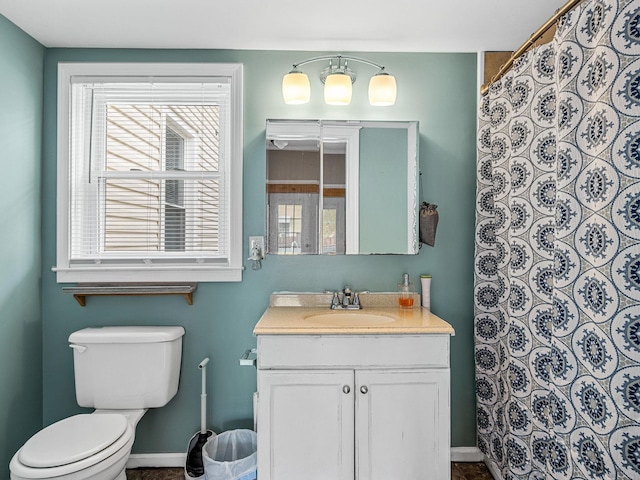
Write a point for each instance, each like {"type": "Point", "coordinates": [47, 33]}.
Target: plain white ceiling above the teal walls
{"type": "Point", "coordinates": [327, 25]}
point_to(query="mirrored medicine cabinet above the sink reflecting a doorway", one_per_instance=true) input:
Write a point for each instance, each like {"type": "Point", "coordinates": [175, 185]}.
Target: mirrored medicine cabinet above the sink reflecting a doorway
{"type": "Point", "coordinates": [342, 187]}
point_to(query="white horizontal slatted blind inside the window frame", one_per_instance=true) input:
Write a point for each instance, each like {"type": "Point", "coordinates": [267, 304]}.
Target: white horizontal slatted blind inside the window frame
{"type": "Point", "coordinates": [149, 179]}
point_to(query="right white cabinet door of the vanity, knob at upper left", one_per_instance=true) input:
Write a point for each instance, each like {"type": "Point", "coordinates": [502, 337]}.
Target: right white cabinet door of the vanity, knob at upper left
{"type": "Point", "coordinates": [402, 424]}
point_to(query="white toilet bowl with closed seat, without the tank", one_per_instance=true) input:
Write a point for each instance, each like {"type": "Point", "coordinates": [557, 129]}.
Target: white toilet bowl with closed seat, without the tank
{"type": "Point", "coordinates": [82, 447]}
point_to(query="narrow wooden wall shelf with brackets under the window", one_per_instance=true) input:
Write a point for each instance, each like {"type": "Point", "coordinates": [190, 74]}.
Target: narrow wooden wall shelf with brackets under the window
{"type": "Point", "coordinates": [83, 290]}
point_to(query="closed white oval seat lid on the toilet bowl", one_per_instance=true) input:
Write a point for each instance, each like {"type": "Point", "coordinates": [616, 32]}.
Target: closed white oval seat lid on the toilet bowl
{"type": "Point", "coordinates": [72, 439]}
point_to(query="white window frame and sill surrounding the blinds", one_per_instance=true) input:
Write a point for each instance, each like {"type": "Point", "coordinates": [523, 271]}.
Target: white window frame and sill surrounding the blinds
{"type": "Point", "coordinates": [143, 271]}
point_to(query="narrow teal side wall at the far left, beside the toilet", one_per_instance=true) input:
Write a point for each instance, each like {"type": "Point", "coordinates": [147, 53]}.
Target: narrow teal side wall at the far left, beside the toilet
{"type": "Point", "coordinates": [21, 69]}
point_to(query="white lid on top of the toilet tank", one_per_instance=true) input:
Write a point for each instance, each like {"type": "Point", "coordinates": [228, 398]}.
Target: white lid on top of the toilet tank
{"type": "Point", "coordinates": [126, 334]}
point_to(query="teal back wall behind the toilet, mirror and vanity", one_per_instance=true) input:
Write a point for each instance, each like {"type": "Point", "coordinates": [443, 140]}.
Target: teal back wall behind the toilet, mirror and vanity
{"type": "Point", "coordinates": [438, 90]}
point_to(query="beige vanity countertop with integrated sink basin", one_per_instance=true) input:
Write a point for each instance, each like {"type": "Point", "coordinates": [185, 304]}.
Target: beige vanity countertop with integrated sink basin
{"type": "Point", "coordinates": [294, 320]}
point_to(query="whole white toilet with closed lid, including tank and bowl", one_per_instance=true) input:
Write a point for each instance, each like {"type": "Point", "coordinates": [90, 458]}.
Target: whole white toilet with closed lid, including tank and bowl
{"type": "Point", "coordinates": [121, 372]}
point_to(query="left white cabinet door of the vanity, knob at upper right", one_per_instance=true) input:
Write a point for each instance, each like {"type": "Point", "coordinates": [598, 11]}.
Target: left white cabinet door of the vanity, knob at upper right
{"type": "Point", "coordinates": [305, 425]}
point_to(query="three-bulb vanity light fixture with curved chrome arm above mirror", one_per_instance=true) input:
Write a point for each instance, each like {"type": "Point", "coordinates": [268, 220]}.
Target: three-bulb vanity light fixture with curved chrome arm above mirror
{"type": "Point", "coordinates": [338, 79]}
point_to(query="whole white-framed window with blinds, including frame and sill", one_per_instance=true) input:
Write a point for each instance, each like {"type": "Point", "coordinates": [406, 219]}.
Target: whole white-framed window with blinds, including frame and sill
{"type": "Point", "coordinates": [149, 172]}
